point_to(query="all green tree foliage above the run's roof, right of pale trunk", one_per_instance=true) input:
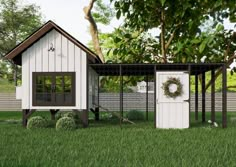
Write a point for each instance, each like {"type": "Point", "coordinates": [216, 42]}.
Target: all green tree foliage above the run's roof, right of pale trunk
{"type": "Point", "coordinates": [182, 38]}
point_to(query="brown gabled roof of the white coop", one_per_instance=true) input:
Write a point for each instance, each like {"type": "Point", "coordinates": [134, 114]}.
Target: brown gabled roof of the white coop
{"type": "Point", "coordinates": [21, 47]}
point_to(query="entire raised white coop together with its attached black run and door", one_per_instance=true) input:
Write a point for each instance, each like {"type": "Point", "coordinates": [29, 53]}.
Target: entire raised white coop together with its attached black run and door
{"type": "Point", "coordinates": [60, 73]}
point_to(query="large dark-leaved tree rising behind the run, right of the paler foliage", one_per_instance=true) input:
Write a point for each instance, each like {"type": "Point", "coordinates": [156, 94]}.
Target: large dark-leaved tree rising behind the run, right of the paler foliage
{"type": "Point", "coordinates": [181, 39]}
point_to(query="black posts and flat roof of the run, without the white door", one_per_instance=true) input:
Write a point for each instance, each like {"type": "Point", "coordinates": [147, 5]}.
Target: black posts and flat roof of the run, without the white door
{"type": "Point", "coordinates": [195, 69]}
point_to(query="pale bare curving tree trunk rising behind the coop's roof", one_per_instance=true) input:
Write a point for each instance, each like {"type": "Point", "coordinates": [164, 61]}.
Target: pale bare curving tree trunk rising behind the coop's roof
{"type": "Point", "coordinates": [93, 29]}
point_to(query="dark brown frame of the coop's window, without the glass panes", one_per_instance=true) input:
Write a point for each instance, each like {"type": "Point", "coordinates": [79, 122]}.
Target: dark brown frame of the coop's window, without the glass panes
{"type": "Point", "coordinates": [53, 102]}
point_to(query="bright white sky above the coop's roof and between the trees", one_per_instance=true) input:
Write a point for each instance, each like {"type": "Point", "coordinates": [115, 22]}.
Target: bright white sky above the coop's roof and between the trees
{"type": "Point", "coordinates": [69, 15]}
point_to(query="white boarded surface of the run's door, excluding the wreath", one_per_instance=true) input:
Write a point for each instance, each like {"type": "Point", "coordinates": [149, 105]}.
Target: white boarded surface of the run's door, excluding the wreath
{"type": "Point", "coordinates": [172, 113]}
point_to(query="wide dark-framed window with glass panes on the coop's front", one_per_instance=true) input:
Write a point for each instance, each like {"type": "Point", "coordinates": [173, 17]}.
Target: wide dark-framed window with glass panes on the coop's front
{"type": "Point", "coordinates": [53, 89]}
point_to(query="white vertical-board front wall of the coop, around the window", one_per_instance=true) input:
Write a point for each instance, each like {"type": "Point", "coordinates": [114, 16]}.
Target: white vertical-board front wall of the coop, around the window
{"type": "Point", "coordinates": [67, 57]}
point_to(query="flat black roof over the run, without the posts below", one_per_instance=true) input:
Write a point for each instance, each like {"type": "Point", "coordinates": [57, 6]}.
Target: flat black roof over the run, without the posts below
{"type": "Point", "coordinates": [150, 69]}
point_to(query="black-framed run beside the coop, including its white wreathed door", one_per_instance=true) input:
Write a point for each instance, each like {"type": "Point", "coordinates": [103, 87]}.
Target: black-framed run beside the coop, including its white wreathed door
{"type": "Point", "coordinates": [169, 112]}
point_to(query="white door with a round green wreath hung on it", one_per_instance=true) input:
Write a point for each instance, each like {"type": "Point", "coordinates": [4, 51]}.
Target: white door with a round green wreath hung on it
{"type": "Point", "coordinates": [172, 100]}
